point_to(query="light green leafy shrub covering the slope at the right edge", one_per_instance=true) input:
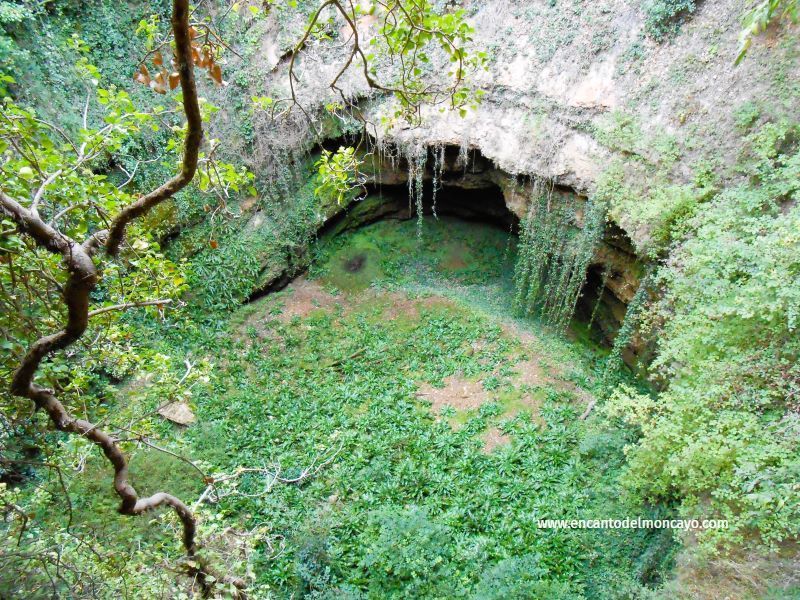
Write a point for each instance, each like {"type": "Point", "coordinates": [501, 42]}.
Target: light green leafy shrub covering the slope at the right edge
{"type": "Point", "coordinates": [723, 438]}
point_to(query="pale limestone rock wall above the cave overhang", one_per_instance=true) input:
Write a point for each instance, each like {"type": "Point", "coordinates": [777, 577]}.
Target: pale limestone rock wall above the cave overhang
{"type": "Point", "coordinates": [559, 73]}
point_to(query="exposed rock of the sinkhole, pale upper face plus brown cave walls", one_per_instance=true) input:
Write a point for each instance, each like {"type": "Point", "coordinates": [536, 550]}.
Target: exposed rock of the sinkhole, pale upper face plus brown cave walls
{"type": "Point", "coordinates": [560, 76]}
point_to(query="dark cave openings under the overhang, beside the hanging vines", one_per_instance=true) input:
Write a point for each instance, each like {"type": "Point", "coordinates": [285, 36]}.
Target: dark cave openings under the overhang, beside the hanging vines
{"type": "Point", "coordinates": [470, 187]}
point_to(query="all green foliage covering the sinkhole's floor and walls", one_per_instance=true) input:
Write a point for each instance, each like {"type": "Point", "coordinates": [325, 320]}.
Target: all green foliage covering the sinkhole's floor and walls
{"type": "Point", "coordinates": [393, 424]}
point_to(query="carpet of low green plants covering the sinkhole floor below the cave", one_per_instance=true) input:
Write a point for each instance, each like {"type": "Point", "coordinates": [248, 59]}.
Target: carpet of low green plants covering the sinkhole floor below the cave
{"type": "Point", "coordinates": [407, 503]}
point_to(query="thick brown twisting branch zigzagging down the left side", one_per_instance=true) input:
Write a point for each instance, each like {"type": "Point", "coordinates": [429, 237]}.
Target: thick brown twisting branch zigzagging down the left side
{"type": "Point", "coordinates": [83, 278]}
